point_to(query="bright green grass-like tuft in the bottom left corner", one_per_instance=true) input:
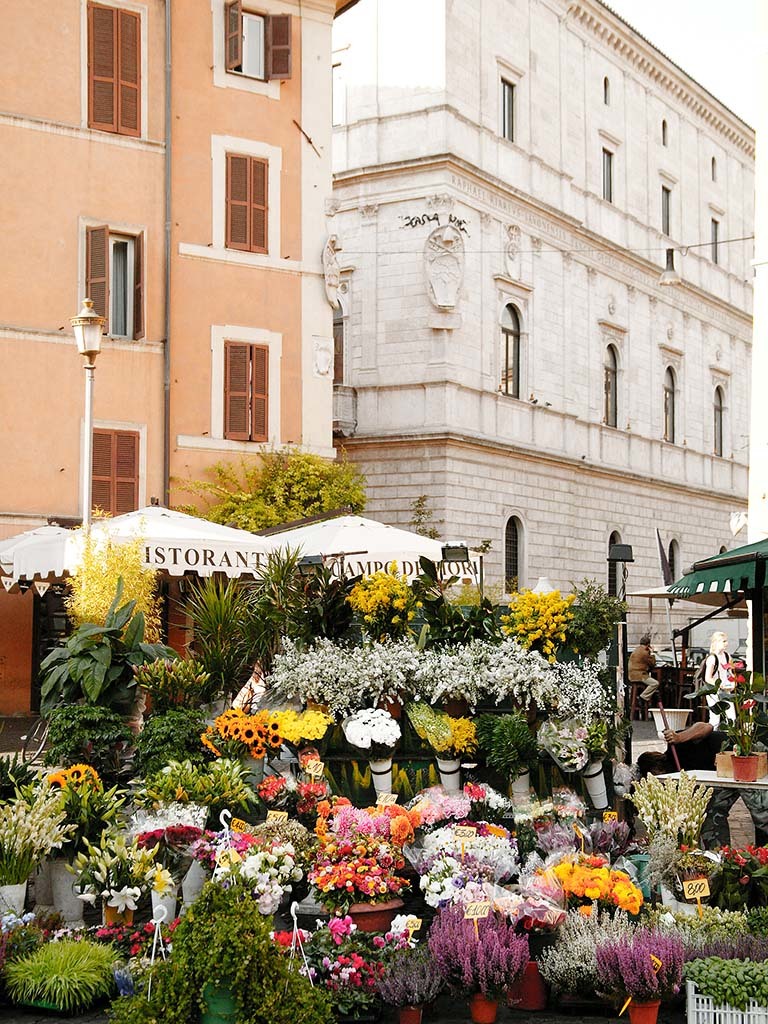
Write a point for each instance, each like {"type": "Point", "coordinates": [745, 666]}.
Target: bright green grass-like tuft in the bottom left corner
{"type": "Point", "coordinates": [69, 976]}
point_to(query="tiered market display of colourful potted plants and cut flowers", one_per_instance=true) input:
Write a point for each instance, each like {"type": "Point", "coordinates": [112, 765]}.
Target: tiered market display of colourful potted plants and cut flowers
{"type": "Point", "coordinates": [426, 803]}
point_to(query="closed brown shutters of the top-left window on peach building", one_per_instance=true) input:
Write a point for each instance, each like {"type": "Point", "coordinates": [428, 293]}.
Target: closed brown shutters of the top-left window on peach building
{"type": "Point", "coordinates": [114, 70]}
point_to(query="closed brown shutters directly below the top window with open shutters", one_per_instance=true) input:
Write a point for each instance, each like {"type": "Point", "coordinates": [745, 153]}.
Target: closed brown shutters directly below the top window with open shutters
{"type": "Point", "coordinates": [247, 203]}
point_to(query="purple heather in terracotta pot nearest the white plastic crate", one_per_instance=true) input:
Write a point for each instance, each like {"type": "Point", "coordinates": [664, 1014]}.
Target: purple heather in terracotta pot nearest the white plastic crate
{"type": "Point", "coordinates": [625, 966]}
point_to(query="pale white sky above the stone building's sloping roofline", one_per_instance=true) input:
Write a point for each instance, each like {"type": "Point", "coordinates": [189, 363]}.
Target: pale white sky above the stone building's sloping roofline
{"type": "Point", "coordinates": [712, 40]}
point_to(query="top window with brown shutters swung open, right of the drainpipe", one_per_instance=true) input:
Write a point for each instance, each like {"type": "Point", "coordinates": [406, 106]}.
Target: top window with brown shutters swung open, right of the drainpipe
{"type": "Point", "coordinates": [258, 46]}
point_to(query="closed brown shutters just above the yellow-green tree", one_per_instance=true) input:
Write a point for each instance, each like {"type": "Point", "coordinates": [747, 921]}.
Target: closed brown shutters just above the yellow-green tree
{"type": "Point", "coordinates": [246, 392]}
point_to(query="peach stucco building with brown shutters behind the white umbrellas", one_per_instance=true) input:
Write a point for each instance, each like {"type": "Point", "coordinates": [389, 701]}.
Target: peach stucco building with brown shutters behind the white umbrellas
{"type": "Point", "coordinates": [170, 159]}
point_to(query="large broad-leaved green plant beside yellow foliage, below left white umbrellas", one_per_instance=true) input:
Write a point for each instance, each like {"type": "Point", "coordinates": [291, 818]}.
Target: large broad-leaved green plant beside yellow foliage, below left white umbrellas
{"type": "Point", "coordinates": [96, 665]}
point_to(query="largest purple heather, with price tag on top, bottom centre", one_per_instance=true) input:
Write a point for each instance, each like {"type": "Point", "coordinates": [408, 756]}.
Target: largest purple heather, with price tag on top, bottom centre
{"type": "Point", "coordinates": [488, 963]}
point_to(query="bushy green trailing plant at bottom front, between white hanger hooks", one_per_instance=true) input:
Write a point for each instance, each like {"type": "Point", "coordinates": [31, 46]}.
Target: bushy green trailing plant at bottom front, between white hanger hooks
{"type": "Point", "coordinates": [227, 969]}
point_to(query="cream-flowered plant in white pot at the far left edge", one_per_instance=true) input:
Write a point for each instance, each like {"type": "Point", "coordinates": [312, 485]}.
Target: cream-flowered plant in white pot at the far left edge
{"type": "Point", "coordinates": [31, 826]}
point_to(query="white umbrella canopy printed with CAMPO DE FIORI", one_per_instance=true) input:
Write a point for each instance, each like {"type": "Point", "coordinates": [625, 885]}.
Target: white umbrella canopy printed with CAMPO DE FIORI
{"type": "Point", "coordinates": [367, 546]}
